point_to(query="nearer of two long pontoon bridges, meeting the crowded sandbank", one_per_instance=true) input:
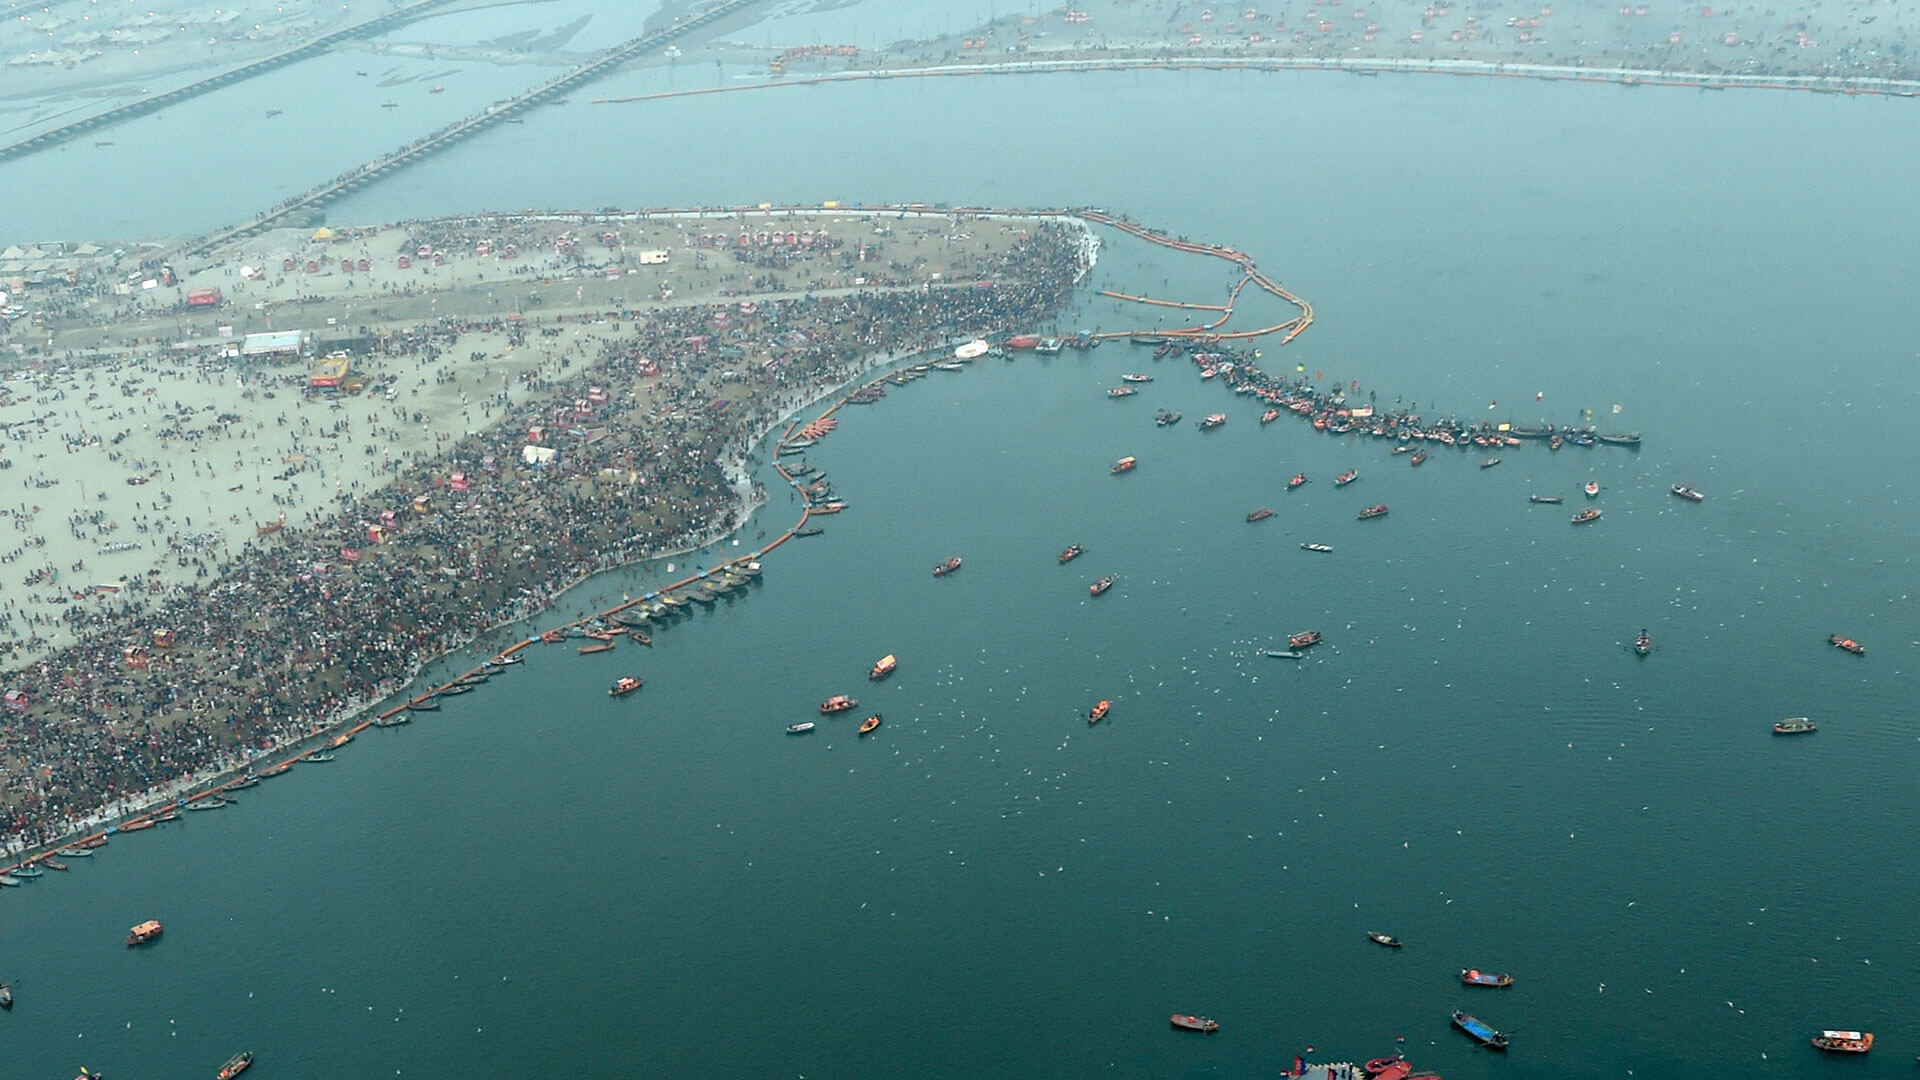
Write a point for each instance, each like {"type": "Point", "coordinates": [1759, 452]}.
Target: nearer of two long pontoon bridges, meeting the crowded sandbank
{"type": "Point", "coordinates": [456, 132]}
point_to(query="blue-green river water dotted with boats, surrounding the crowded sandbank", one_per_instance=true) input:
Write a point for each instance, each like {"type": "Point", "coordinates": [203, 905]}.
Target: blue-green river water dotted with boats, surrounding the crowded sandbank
{"type": "Point", "coordinates": [544, 881]}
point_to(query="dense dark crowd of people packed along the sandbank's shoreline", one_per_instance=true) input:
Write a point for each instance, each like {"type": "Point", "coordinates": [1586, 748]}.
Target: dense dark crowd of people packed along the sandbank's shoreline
{"type": "Point", "coordinates": [310, 626]}
